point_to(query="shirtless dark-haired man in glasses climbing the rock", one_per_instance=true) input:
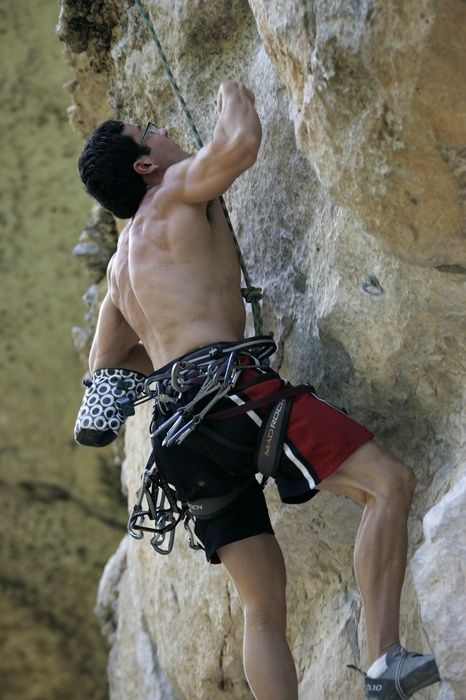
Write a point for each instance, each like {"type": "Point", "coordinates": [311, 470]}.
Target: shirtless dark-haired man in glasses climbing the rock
{"type": "Point", "coordinates": [174, 292]}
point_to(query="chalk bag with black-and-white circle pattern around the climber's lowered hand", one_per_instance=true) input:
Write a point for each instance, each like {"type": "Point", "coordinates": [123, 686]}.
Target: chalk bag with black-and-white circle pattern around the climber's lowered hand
{"type": "Point", "coordinates": [108, 401]}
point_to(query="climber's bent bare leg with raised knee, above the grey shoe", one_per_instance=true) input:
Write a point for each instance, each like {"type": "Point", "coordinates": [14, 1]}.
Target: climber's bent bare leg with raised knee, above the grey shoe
{"type": "Point", "coordinates": [385, 487]}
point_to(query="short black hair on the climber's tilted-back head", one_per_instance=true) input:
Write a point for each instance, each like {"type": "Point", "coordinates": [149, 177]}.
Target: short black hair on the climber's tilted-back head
{"type": "Point", "coordinates": [106, 169]}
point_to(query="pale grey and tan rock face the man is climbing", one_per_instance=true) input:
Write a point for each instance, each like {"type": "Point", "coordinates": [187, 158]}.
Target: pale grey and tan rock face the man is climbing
{"type": "Point", "coordinates": [358, 189]}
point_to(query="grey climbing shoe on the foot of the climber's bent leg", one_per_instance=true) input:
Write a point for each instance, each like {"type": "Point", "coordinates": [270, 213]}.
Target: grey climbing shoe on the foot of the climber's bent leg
{"type": "Point", "coordinates": [406, 673]}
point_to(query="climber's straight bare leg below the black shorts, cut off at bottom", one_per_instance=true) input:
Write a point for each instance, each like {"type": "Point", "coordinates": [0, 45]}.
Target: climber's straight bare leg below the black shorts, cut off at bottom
{"type": "Point", "coordinates": [257, 569]}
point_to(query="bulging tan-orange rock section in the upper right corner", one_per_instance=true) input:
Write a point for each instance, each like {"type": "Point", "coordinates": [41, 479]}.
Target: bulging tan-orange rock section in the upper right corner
{"type": "Point", "coordinates": [363, 78]}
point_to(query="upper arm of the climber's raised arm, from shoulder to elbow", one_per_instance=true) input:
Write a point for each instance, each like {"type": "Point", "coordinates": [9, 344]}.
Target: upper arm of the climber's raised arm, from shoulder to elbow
{"type": "Point", "coordinates": [211, 171]}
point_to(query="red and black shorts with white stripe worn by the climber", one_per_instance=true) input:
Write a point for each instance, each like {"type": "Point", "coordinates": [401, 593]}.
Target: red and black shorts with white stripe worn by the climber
{"type": "Point", "coordinates": [220, 454]}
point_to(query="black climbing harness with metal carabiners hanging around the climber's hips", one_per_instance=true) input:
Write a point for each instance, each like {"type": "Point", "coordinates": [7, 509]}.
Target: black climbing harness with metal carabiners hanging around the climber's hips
{"type": "Point", "coordinates": [183, 394]}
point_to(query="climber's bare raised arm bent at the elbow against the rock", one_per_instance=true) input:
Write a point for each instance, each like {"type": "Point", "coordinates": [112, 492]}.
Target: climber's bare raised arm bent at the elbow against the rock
{"type": "Point", "coordinates": [233, 149]}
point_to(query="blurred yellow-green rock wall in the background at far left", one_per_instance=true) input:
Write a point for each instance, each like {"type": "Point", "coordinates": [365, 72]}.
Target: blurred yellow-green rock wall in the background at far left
{"type": "Point", "coordinates": [61, 513]}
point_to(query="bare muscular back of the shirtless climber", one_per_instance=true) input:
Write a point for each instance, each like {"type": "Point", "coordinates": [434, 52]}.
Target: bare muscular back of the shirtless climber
{"type": "Point", "coordinates": [176, 276]}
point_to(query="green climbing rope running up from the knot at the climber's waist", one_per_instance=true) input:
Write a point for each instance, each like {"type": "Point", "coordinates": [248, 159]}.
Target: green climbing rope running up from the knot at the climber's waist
{"type": "Point", "coordinates": [251, 294]}
